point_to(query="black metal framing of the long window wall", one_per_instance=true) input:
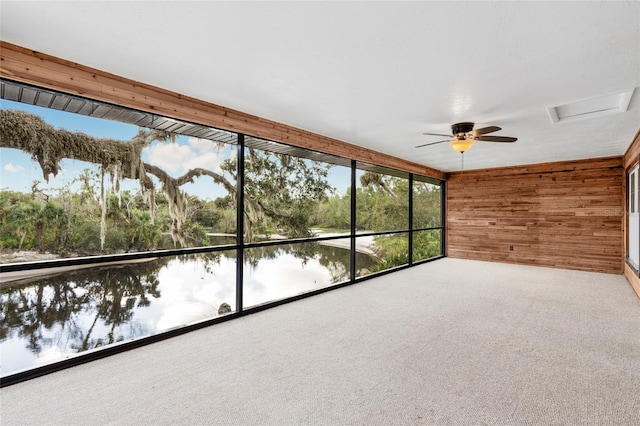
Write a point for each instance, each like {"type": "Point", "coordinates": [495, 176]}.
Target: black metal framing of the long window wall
{"type": "Point", "coordinates": [239, 247]}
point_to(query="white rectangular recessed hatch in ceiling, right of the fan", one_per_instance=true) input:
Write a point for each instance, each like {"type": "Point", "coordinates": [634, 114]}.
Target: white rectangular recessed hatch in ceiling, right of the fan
{"type": "Point", "coordinates": [591, 108]}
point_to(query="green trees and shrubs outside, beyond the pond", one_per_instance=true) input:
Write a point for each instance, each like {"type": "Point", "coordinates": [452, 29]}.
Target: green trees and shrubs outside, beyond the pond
{"type": "Point", "coordinates": [283, 194]}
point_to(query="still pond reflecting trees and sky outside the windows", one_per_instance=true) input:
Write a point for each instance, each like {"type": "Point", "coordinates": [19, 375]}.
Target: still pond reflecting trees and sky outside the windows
{"type": "Point", "coordinates": [46, 319]}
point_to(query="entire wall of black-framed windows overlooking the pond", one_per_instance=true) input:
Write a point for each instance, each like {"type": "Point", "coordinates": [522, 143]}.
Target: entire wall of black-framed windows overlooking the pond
{"type": "Point", "coordinates": [118, 225]}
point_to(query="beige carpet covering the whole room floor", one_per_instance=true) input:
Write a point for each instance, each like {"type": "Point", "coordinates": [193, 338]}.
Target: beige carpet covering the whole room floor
{"type": "Point", "coordinates": [449, 342]}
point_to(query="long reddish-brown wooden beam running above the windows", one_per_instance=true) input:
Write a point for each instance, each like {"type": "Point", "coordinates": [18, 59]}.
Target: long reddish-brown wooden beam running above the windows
{"type": "Point", "coordinates": [31, 67]}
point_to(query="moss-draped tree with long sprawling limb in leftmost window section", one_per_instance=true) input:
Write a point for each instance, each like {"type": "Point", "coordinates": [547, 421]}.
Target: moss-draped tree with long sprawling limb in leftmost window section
{"type": "Point", "coordinates": [117, 159]}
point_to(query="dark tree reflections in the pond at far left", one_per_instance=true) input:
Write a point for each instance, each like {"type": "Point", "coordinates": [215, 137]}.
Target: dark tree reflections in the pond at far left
{"type": "Point", "coordinates": [56, 304]}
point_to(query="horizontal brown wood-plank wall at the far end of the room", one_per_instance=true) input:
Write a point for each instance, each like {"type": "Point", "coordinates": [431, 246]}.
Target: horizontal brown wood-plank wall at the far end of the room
{"type": "Point", "coordinates": [564, 214]}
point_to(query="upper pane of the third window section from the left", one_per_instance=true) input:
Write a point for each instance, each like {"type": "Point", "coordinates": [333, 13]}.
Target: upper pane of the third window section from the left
{"type": "Point", "coordinates": [382, 201]}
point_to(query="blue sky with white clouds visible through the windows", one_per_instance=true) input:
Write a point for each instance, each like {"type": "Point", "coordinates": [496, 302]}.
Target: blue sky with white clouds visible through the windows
{"type": "Point", "coordinates": [18, 172]}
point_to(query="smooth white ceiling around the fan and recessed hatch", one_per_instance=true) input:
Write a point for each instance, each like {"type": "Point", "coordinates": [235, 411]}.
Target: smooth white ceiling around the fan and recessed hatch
{"type": "Point", "coordinates": [375, 74]}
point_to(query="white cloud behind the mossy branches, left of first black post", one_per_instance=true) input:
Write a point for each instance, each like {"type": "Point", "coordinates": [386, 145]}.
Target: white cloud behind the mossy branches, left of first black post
{"type": "Point", "coordinates": [178, 158]}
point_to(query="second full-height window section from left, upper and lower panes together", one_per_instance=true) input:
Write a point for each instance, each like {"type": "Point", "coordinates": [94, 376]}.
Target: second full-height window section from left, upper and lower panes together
{"type": "Point", "coordinates": [293, 194]}
